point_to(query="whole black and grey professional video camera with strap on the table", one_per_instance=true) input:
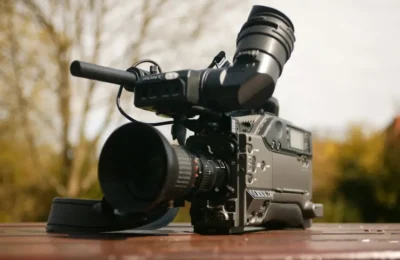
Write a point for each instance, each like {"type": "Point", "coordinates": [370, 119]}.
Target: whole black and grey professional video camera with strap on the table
{"type": "Point", "coordinates": [244, 165]}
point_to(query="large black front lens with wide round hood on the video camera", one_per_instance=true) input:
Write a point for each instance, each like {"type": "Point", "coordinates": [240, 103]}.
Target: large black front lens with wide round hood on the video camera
{"type": "Point", "coordinates": [139, 169]}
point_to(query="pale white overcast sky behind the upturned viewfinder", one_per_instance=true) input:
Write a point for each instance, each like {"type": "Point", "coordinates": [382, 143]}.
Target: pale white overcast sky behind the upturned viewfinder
{"type": "Point", "coordinates": [343, 69]}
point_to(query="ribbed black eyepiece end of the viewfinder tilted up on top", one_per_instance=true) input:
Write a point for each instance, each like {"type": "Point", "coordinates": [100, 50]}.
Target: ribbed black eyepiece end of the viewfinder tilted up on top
{"type": "Point", "coordinates": [268, 31]}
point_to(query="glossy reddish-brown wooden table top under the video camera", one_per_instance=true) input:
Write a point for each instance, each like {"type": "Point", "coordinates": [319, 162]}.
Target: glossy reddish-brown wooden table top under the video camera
{"type": "Point", "coordinates": [322, 241]}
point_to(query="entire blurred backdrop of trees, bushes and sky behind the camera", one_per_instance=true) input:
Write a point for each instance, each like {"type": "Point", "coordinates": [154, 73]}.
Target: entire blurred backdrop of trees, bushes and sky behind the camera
{"type": "Point", "coordinates": [341, 83]}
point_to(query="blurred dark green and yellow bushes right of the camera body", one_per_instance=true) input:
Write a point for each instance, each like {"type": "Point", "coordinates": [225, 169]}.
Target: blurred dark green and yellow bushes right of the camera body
{"type": "Point", "coordinates": [365, 188]}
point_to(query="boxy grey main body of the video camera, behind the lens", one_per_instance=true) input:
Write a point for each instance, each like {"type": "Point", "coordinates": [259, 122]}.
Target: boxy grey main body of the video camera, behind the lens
{"type": "Point", "coordinates": [269, 164]}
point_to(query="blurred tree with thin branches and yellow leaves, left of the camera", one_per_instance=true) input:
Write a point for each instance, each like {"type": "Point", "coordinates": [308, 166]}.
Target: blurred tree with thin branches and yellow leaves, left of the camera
{"type": "Point", "coordinates": [56, 122]}
